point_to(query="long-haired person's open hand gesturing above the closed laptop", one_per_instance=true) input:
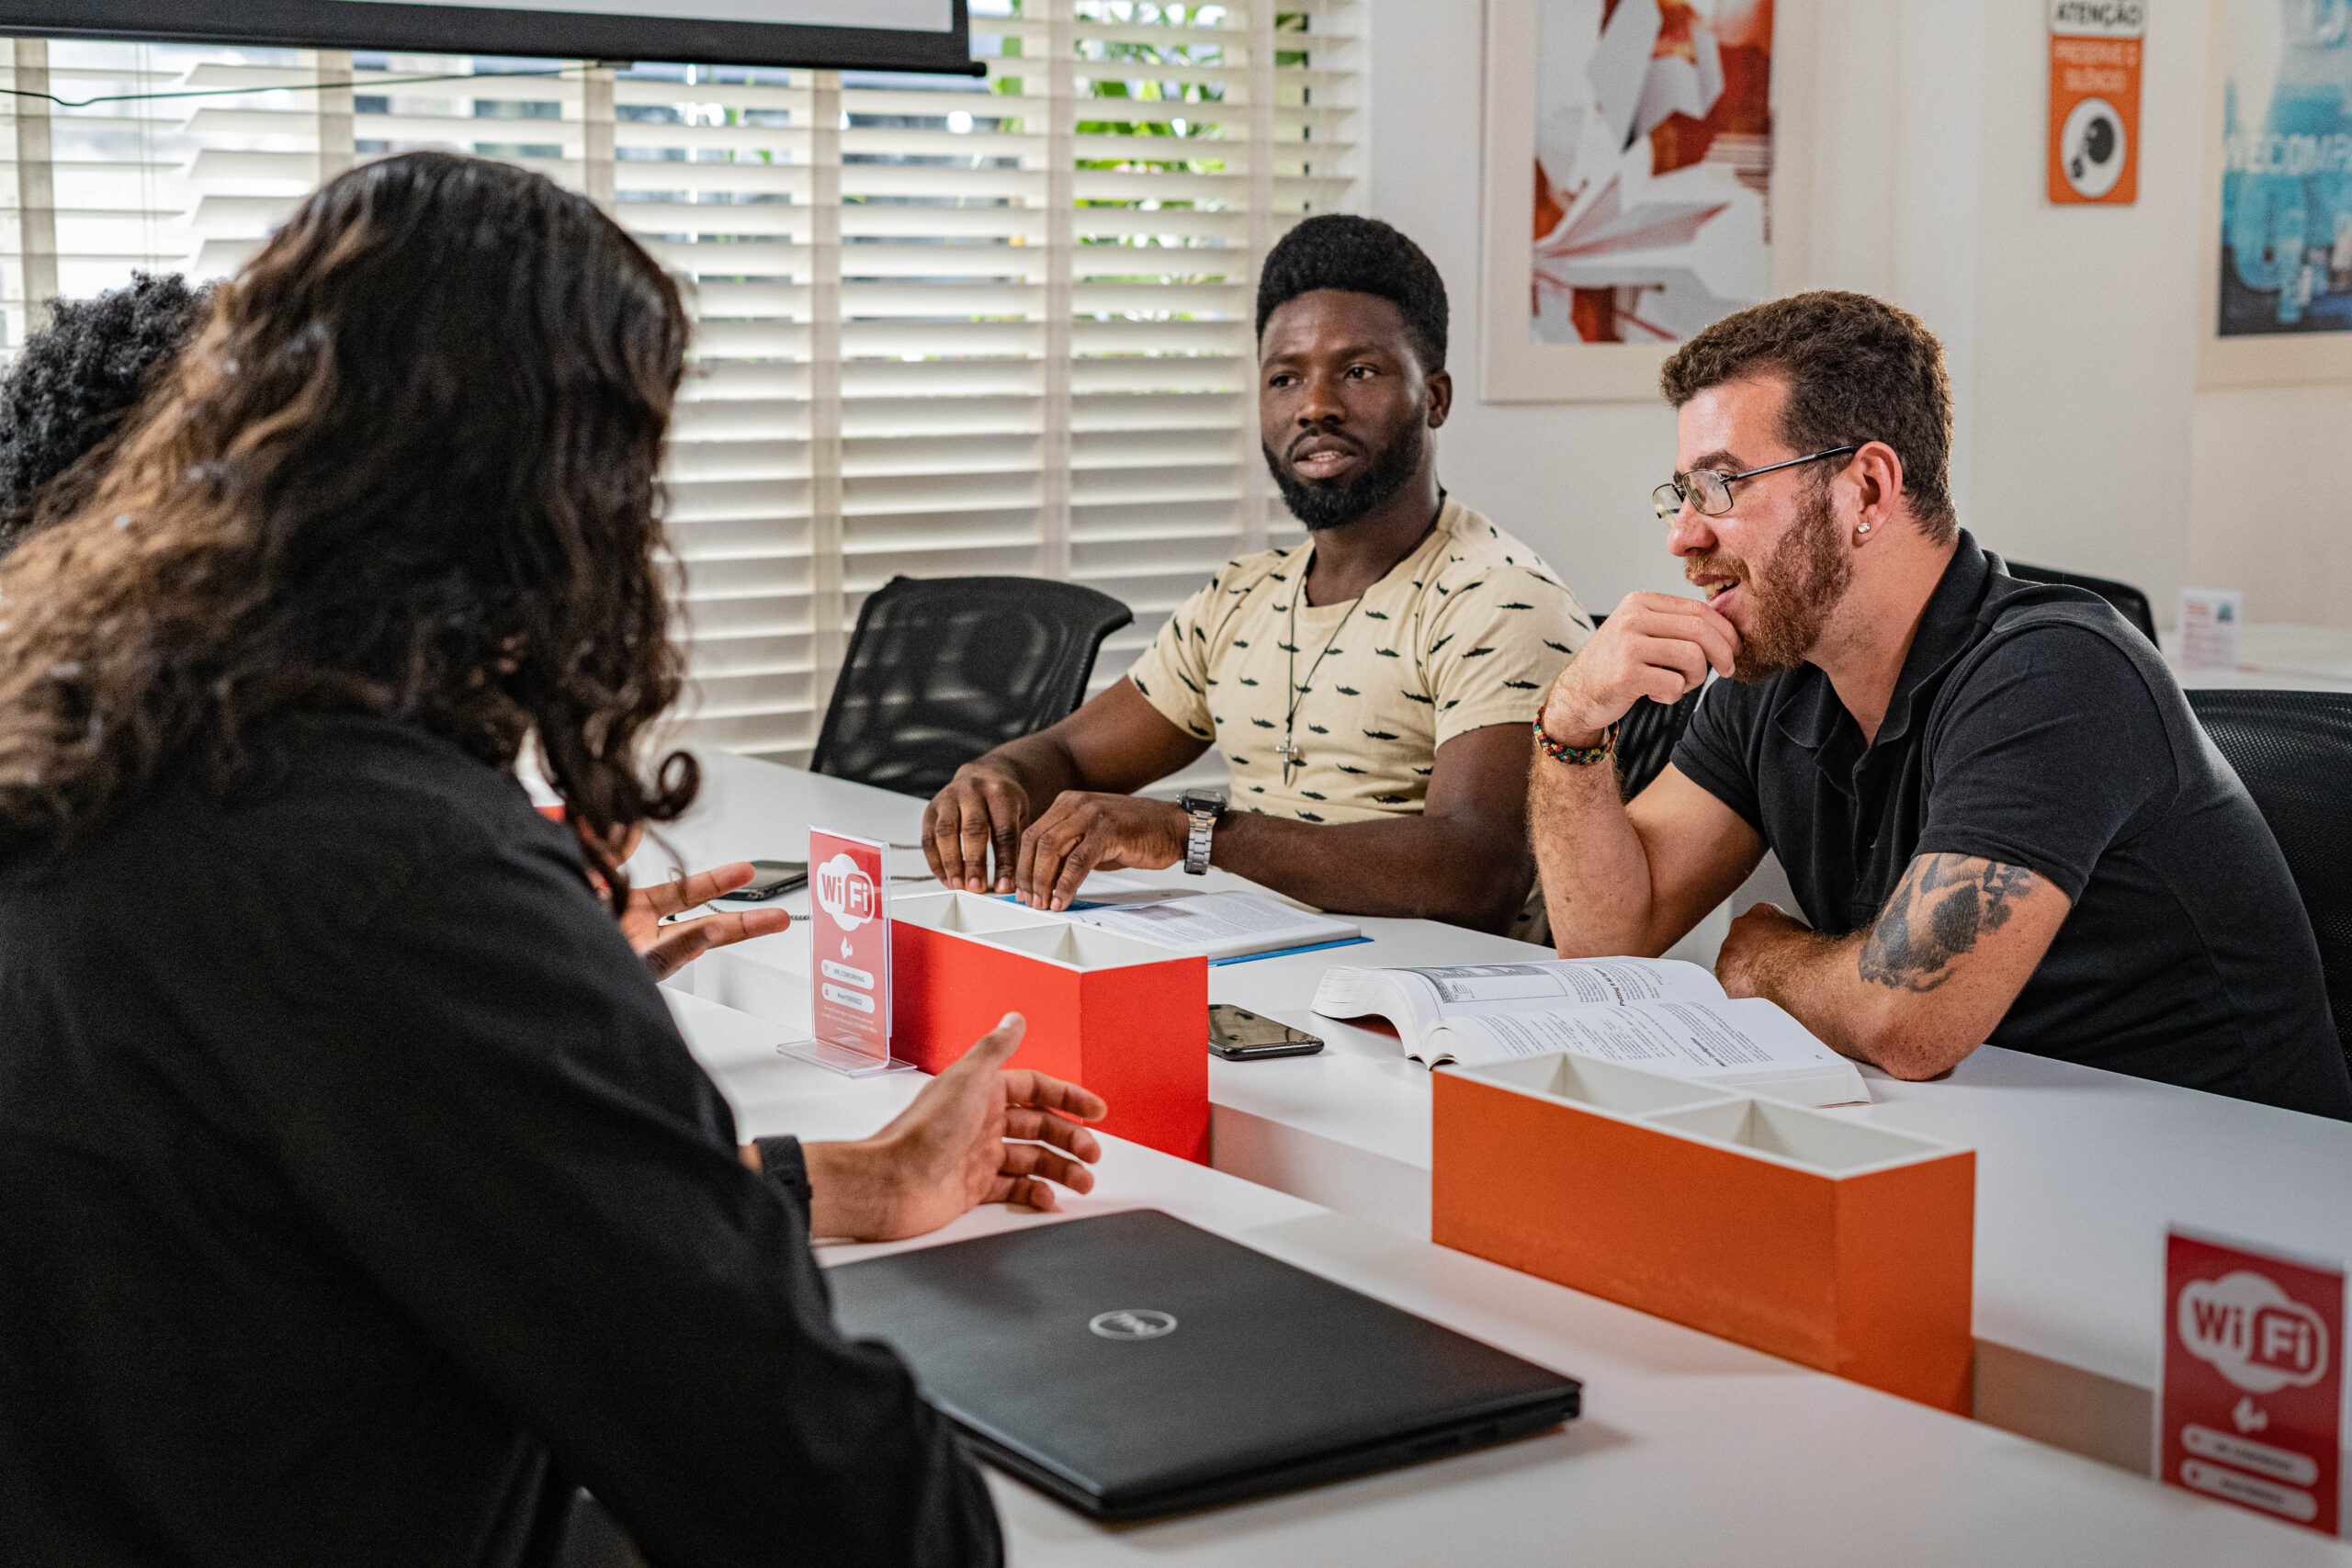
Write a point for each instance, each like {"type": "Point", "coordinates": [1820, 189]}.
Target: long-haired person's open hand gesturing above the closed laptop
{"type": "Point", "coordinates": [973, 1137]}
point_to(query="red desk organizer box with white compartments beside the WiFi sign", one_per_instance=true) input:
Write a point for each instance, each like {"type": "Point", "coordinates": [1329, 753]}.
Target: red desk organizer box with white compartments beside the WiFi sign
{"type": "Point", "coordinates": [1125, 1019]}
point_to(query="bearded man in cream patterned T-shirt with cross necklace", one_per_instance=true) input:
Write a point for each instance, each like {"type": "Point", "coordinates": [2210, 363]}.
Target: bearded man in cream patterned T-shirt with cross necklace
{"type": "Point", "coordinates": [1370, 690]}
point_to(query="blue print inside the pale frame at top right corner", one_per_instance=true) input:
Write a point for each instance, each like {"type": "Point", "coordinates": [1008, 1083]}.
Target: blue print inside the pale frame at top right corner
{"type": "Point", "coordinates": [2287, 168]}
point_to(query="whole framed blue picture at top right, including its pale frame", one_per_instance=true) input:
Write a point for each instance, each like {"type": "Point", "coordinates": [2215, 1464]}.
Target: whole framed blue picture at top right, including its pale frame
{"type": "Point", "coordinates": [2278, 239]}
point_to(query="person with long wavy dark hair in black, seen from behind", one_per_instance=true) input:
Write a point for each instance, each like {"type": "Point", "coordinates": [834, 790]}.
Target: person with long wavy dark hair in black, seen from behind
{"type": "Point", "coordinates": [359, 1198]}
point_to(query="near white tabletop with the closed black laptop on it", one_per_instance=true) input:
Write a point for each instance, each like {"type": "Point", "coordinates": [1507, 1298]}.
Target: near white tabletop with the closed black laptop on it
{"type": "Point", "coordinates": [1690, 1452]}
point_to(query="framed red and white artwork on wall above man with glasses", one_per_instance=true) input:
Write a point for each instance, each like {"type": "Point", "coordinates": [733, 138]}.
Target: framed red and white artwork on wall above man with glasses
{"type": "Point", "coordinates": [1641, 182]}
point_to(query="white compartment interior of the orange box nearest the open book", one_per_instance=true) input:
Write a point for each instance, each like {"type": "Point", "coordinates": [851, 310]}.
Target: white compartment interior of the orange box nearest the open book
{"type": "Point", "coordinates": [1753, 1125]}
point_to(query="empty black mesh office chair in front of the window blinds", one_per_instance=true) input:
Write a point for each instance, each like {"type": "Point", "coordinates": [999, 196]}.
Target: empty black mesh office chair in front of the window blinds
{"type": "Point", "coordinates": [947, 669]}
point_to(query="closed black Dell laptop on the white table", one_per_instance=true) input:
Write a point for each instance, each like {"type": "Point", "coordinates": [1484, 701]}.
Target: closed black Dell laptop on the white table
{"type": "Point", "coordinates": [1132, 1365]}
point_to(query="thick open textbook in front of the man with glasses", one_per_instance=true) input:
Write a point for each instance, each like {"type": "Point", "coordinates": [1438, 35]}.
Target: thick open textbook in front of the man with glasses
{"type": "Point", "coordinates": [1657, 1014]}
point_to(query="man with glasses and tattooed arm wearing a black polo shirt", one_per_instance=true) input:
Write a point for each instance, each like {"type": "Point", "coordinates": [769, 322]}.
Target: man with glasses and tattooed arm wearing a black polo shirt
{"type": "Point", "coordinates": [1996, 810]}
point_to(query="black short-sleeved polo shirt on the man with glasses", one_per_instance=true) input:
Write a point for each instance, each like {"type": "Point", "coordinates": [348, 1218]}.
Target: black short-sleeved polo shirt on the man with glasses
{"type": "Point", "coordinates": [2036, 728]}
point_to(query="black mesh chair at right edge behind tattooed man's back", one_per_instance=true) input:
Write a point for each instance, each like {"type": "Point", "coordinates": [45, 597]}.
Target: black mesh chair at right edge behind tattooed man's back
{"type": "Point", "coordinates": [2294, 753]}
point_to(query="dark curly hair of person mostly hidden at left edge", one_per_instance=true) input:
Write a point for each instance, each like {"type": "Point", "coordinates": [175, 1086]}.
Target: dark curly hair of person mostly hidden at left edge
{"type": "Point", "coordinates": [74, 384]}
